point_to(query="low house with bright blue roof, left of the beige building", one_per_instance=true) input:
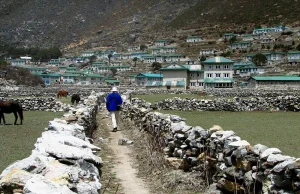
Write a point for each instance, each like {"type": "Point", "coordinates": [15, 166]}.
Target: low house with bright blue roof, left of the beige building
{"type": "Point", "coordinates": [144, 79]}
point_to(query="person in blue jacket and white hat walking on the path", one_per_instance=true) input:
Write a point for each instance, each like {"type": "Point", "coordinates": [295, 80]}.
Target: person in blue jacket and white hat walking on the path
{"type": "Point", "coordinates": [113, 103]}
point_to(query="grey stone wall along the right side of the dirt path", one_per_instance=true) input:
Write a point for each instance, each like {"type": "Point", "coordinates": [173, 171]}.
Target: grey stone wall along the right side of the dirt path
{"type": "Point", "coordinates": [228, 163]}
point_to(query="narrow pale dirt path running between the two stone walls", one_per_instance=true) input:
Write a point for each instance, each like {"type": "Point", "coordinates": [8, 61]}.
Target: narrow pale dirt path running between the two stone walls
{"type": "Point", "coordinates": [123, 163]}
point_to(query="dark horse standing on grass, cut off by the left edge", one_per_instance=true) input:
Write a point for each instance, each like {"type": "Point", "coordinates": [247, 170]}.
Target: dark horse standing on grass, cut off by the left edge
{"type": "Point", "coordinates": [11, 106]}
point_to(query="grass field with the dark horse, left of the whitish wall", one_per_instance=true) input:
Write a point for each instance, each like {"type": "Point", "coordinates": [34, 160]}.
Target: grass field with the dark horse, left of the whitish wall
{"type": "Point", "coordinates": [17, 141]}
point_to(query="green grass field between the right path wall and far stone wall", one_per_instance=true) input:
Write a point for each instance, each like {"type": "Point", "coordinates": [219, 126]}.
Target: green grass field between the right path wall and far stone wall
{"type": "Point", "coordinates": [273, 129]}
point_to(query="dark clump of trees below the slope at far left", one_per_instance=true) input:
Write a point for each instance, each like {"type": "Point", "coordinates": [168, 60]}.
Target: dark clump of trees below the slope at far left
{"type": "Point", "coordinates": [37, 54]}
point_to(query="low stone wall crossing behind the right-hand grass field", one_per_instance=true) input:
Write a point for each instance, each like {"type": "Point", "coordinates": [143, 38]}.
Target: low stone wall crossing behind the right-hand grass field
{"type": "Point", "coordinates": [276, 103]}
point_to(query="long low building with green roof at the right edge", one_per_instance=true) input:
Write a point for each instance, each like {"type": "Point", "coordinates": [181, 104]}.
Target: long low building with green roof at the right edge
{"type": "Point", "coordinates": [274, 82]}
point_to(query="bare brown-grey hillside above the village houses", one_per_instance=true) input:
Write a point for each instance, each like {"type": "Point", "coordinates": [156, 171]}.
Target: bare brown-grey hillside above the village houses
{"type": "Point", "coordinates": [92, 23]}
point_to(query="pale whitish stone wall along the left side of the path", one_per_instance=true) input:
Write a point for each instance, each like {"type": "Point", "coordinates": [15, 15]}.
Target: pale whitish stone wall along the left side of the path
{"type": "Point", "coordinates": [64, 160]}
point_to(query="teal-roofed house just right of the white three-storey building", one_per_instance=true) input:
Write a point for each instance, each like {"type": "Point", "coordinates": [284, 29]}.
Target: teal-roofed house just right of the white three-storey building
{"type": "Point", "coordinates": [246, 69]}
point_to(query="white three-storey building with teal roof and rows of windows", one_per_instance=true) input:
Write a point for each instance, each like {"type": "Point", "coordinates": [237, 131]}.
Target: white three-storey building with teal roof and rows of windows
{"type": "Point", "coordinates": [218, 72]}
